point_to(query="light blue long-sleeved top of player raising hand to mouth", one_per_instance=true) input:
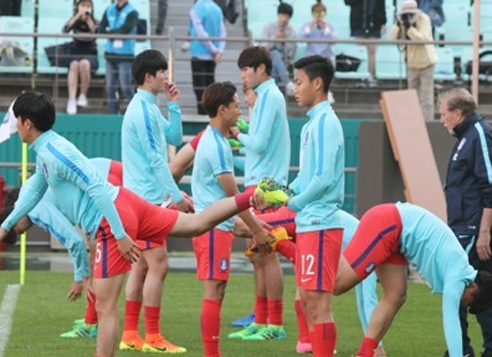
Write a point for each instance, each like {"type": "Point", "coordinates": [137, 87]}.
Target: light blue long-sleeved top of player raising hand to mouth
{"type": "Point", "coordinates": [144, 137]}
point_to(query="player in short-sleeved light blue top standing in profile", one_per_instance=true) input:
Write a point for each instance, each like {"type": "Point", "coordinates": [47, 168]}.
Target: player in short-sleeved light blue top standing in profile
{"type": "Point", "coordinates": [212, 180]}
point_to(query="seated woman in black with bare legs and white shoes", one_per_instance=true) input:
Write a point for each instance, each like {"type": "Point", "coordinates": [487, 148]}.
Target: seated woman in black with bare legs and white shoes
{"type": "Point", "coordinates": [82, 59]}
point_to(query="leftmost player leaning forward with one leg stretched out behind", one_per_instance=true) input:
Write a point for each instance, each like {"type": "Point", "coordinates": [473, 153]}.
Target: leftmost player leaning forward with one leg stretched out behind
{"type": "Point", "coordinates": [99, 208]}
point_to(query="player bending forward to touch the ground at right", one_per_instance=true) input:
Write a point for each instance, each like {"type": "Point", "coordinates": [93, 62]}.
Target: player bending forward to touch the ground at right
{"type": "Point", "coordinates": [388, 236]}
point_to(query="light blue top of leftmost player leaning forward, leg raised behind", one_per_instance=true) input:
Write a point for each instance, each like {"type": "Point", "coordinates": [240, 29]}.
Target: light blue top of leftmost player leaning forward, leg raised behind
{"type": "Point", "coordinates": [81, 192]}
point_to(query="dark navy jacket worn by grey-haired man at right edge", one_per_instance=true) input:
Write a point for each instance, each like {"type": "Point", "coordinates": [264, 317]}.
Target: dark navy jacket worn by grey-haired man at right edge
{"type": "Point", "coordinates": [469, 178]}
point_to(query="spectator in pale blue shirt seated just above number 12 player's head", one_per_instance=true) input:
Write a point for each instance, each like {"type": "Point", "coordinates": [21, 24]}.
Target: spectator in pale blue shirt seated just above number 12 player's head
{"type": "Point", "coordinates": [319, 29]}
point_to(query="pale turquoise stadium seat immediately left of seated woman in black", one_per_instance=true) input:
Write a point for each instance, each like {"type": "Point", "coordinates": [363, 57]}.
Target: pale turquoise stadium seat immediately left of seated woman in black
{"type": "Point", "coordinates": [47, 25]}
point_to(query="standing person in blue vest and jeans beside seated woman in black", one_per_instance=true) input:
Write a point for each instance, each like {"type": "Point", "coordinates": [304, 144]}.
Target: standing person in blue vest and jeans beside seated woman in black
{"type": "Point", "coordinates": [119, 18]}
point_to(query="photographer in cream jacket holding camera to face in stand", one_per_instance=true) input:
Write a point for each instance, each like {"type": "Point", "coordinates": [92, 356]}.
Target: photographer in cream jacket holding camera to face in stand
{"type": "Point", "coordinates": [414, 25]}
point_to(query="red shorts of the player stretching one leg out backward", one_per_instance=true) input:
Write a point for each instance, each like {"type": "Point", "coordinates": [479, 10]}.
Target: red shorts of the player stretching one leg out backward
{"type": "Point", "coordinates": [141, 221]}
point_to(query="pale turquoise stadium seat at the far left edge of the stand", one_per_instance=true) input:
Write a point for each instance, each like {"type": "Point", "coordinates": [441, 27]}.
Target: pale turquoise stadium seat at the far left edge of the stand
{"type": "Point", "coordinates": [17, 24]}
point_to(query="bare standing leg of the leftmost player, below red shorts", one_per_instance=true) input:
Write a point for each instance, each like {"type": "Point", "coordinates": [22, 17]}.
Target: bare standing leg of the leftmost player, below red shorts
{"type": "Point", "coordinates": [107, 293]}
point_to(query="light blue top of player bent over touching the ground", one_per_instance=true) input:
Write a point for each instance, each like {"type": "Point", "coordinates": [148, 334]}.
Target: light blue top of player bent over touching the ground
{"type": "Point", "coordinates": [433, 249]}
